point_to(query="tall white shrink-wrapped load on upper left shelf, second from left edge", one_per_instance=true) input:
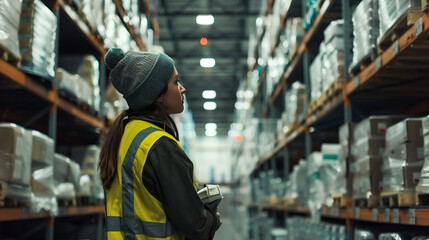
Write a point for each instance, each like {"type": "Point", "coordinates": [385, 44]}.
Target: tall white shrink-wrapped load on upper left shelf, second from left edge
{"type": "Point", "coordinates": [37, 34]}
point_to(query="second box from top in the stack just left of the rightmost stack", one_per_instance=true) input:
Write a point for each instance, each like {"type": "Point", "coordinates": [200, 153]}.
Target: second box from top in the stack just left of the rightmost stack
{"type": "Point", "coordinates": [373, 146]}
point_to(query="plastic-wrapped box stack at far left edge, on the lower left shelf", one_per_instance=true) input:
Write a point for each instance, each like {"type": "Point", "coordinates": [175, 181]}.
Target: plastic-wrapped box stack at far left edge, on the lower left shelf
{"type": "Point", "coordinates": [15, 153]}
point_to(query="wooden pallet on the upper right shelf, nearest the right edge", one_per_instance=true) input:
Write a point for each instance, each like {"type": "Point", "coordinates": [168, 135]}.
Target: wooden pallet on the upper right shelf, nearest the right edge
{"type": "Point", "coordinates": [402, 24]}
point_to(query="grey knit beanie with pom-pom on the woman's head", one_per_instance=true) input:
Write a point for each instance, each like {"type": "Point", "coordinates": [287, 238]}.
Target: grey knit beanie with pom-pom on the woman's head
{"type": "Point", "coordinates": [139, 76]}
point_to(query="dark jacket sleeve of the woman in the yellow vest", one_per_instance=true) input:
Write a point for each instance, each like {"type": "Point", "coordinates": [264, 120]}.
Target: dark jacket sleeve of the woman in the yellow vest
{"type": "Point", "coordinates": [172, 180]}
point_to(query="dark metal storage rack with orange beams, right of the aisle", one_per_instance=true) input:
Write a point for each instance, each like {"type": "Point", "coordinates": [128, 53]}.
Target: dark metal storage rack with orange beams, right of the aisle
{"type": "Point", "coordinates": [391, 84]}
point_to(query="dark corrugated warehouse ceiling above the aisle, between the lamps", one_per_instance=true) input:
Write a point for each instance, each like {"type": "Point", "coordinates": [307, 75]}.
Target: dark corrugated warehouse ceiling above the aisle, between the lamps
{"type": "Point", "coordinates": [179, 34]}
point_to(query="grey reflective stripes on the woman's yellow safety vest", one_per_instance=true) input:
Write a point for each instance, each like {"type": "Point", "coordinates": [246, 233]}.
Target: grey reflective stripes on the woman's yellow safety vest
{"type": "Point", "coordinates": [128, 224]}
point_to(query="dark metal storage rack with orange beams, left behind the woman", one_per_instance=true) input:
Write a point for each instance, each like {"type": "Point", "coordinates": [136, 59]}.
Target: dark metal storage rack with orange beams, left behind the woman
{"type": "Point", "coordinates": [34, 102]}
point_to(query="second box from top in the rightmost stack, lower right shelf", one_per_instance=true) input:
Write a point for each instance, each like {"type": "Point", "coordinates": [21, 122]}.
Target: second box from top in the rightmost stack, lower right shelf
{"type": "Point", "coordinates": [408, 152]}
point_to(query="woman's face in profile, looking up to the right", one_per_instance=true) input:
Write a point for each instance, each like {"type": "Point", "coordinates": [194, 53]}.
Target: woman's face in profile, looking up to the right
{"type": "Point", "coordinates": [172, 101]}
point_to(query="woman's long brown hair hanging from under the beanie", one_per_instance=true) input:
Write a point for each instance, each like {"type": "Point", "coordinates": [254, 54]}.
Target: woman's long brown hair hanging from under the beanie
{"type": "Point", "coordinates": [110, 148]}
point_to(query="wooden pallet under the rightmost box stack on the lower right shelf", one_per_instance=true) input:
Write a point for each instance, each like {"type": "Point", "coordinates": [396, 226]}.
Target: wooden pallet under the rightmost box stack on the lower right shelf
{"type": "Point", "coordinates": [399, 198]}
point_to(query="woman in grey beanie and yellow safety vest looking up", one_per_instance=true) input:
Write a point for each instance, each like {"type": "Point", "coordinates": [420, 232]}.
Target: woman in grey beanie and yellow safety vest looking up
{"type": "Point", "coordinates": [148, 178]}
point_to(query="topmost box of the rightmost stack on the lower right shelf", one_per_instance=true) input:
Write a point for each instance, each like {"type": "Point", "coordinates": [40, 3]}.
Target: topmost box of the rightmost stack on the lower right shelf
{"type": "Point", "coordinates": [408, 130]}
